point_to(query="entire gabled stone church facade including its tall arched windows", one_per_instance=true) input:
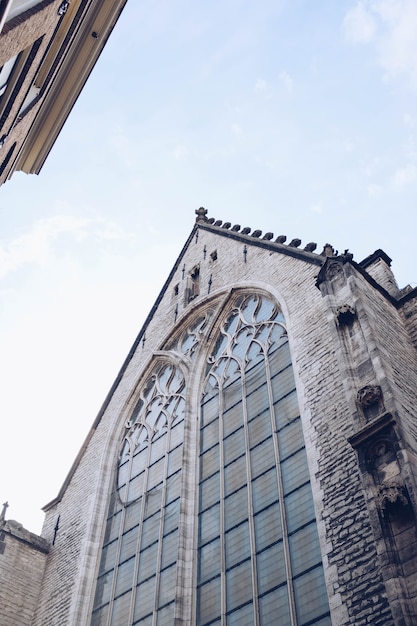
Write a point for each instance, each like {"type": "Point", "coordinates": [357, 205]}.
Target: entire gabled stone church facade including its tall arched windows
{"type": "Point", "coordinates": [255, 460]}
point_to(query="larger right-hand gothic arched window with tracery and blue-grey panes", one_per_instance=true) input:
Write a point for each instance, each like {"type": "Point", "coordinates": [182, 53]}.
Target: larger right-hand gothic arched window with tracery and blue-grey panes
{"type": "Point", "coordinates": [259, 559]}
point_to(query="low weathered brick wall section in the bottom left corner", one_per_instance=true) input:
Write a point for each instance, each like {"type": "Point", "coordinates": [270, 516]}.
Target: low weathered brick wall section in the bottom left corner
{"type": "Point", "coordinates": [22, 563]}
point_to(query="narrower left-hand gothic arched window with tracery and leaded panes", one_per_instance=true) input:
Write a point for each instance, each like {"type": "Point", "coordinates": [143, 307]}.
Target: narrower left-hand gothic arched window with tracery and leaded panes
{"type": "Point", "coordinates": [137, 575]}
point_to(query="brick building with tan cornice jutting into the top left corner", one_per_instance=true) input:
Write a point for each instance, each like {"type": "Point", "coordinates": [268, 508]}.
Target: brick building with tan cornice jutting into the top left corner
{"type": "Point", "coordinates": [47, 51]}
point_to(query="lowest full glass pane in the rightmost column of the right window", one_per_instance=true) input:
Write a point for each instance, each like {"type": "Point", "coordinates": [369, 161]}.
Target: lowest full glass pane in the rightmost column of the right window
{"type": "Point", "coordinates": [310, 596]}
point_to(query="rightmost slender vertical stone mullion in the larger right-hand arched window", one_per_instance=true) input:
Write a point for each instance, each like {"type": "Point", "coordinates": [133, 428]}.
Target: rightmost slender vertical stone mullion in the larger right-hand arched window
{"type": "Point", "coordinates": [288, 569]}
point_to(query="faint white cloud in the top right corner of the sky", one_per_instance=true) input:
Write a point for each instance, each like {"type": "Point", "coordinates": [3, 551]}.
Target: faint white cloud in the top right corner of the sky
{"type": "Point", "coordinates": [391, 26]}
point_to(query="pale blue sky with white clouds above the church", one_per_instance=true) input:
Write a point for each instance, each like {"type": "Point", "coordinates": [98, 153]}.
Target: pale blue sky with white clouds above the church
{"type": "Point", "coordinates": [292, 116]}
